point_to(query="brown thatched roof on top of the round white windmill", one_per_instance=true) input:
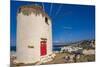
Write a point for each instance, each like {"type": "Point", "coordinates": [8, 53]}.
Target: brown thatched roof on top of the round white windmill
{"type": "Point", "coordinates": [35, 9]}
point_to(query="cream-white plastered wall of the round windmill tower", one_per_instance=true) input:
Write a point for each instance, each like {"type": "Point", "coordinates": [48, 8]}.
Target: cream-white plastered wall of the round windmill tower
{"type": "Point", "coordinates": [29, 31]}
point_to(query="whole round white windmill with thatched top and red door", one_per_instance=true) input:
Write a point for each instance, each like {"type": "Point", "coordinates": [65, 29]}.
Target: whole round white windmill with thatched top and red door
{"type": "Point", "coordinates": [34, 36]}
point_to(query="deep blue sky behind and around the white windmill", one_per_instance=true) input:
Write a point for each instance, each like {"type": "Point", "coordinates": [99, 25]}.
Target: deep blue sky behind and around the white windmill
{"type": "Point", "coordinates": [69, 22]}
